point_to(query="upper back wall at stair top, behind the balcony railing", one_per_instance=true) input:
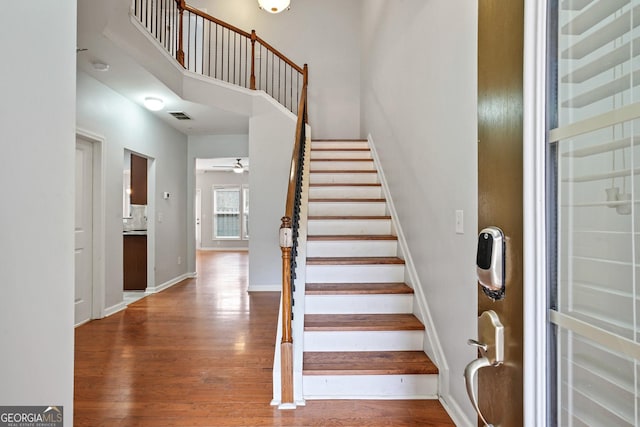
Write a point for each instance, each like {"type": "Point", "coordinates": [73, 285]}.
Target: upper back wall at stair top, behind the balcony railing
{"type": "Point", "coordinates": [325, 35]}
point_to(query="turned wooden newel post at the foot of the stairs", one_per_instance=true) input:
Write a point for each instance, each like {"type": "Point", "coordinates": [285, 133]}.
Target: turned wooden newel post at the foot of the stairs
{"type": "Point", "coordinates": [286, 346]}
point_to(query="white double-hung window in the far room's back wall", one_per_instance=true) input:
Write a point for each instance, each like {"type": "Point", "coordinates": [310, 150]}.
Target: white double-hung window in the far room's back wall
{"type": "Point", "coordinates": [230, 212]}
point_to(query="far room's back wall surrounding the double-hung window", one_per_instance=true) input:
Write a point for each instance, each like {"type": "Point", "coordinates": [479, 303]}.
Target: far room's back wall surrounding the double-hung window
{"type": "Point", "coordinates": [205, 182]}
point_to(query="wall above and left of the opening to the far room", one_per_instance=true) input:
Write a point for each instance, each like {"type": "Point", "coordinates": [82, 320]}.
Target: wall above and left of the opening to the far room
{"type": "Point", "coordinates": [207, 147]}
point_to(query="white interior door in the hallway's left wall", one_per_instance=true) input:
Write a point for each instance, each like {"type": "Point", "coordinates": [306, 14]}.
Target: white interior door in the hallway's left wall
{"type": "Point", "coordinates": [83, 231]}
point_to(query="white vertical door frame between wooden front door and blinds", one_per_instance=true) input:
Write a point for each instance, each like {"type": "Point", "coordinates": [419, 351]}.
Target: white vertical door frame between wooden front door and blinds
{"type": "Point", "coordinates": [535, 355]}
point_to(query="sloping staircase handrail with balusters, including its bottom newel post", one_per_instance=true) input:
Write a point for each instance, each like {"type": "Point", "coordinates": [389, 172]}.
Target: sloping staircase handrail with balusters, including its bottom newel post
{"type": "Point", "coordinates": [289, 245]}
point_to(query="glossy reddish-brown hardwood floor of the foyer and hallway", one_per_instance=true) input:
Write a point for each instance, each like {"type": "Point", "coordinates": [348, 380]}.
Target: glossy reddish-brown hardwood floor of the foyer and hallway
{"type": "Point", "coordinates": [201, 354]}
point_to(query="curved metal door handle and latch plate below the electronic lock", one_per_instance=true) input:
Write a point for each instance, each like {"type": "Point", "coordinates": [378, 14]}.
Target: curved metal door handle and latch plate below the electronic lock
{"type": "Point", "coordinates": [490, 343]}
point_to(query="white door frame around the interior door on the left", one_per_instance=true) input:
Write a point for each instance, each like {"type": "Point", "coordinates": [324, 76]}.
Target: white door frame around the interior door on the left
{"type": "Point", "coordinates": [99, 233]}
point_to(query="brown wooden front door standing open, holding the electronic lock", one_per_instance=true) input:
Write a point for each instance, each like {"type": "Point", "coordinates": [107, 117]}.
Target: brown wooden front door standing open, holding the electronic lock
{"type": "Point", "coordinates": [500, 66]}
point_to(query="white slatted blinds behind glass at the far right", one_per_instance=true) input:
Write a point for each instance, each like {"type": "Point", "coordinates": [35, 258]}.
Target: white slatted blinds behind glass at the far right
{"type": "Point", "coordinates": [595, 135]}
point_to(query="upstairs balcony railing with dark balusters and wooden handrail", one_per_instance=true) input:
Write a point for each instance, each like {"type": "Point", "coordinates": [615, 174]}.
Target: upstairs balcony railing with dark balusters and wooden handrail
{"type": "Point", "coordinates": [209, 46]}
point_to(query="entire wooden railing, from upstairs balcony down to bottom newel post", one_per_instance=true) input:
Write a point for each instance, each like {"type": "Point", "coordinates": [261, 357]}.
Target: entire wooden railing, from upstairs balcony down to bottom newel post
{"type": "Point", "coordinates": [211, 47]}
